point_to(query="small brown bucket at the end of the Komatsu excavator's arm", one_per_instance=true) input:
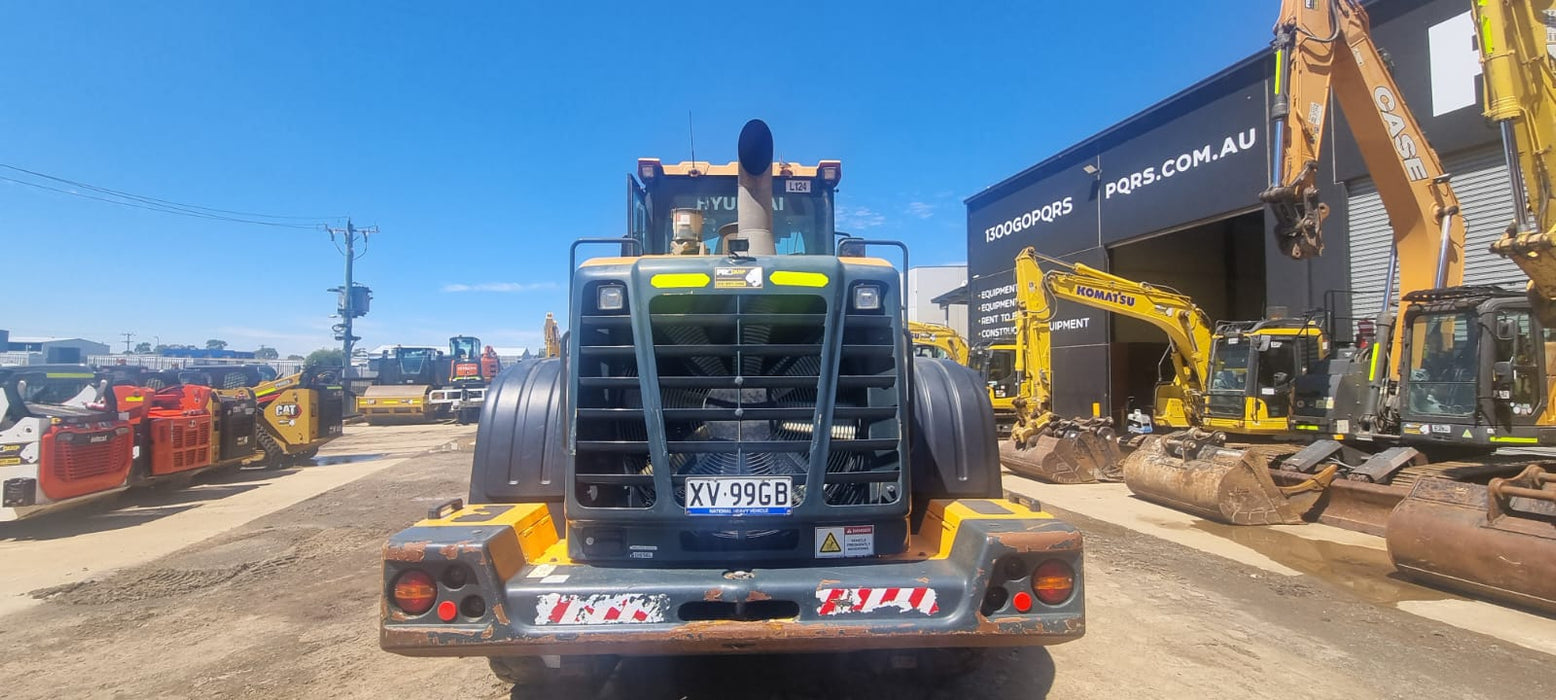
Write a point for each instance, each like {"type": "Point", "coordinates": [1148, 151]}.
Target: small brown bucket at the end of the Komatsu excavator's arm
{"type": "Point", "coordinates": [1067, 452]}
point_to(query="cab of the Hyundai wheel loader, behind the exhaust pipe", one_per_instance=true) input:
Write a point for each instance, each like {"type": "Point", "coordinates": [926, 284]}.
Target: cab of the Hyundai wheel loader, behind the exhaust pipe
{"type": "Point", "coordinates": [802, 209]}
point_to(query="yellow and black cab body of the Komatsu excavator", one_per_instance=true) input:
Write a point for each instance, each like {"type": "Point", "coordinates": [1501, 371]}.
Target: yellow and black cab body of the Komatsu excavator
{"type": "Point", "coordinates": [1253, 373]}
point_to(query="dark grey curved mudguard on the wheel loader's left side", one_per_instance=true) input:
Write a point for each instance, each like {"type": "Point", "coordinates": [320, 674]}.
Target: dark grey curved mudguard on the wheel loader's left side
{"type": "Point", "coordinates": [522, 438]}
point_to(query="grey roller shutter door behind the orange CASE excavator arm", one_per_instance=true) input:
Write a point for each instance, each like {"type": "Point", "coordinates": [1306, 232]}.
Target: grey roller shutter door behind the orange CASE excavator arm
{"type": "Point", "coordinates": [1481, 180]}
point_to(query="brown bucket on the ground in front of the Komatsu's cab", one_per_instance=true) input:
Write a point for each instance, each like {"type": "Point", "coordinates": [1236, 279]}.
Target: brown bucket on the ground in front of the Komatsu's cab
{"type": "Point", "coordinates": [1194, 474]}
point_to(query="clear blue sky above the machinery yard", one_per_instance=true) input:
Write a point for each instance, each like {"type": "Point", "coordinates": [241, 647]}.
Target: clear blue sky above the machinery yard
{"type": "Point", "coordinates": [483, 138]}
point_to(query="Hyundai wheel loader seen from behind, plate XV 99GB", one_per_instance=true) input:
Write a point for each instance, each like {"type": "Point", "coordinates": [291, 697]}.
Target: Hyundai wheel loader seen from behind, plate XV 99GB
{"type": "Point", "coordinates": [735, 453]}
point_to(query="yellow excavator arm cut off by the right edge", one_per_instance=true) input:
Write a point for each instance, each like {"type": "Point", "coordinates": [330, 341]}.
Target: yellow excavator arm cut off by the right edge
{"type": "Point", "coordinates": [1518, 54]}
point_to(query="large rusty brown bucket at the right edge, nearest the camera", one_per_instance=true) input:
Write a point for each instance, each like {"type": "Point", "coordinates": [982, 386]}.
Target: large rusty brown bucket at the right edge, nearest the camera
{"type": "Point", "coordinates": [1495, 541]}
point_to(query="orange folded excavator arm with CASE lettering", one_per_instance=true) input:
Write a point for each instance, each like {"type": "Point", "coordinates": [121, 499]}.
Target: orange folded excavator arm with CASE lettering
{"type": "Point", "coordinates": [1322, 47]}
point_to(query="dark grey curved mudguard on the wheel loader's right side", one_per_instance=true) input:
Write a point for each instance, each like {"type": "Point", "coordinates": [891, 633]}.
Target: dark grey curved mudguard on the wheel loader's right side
{"type": "Point", "coordinates": [955, 450]}
